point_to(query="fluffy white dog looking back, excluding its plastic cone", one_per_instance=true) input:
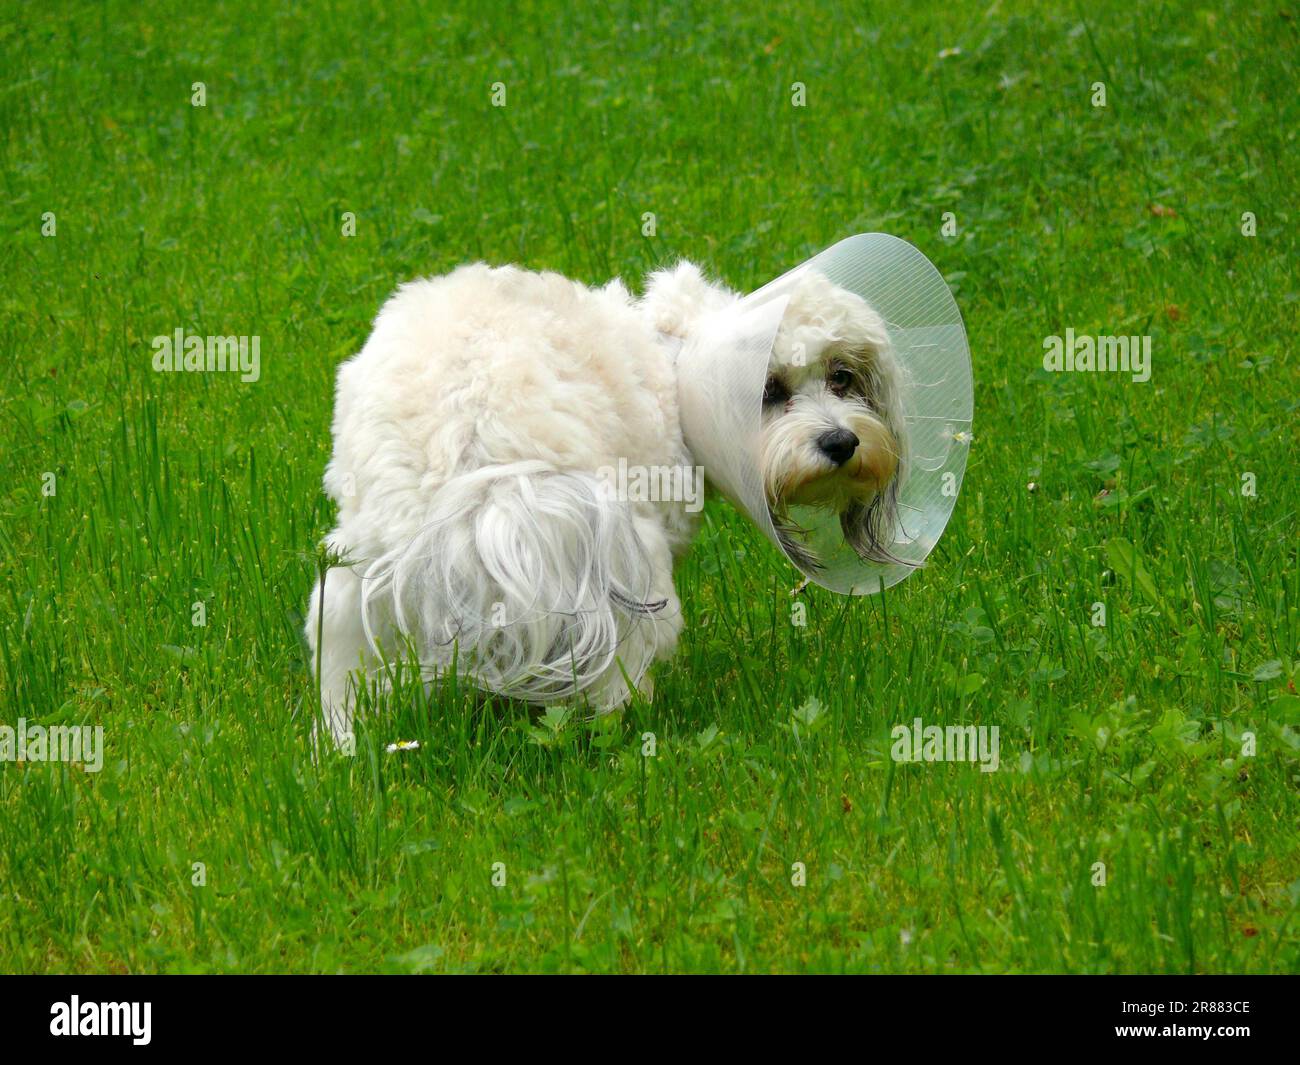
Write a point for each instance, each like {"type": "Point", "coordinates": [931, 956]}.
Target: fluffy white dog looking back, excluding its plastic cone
{"type": "Point", "coordinates": [476, 531]}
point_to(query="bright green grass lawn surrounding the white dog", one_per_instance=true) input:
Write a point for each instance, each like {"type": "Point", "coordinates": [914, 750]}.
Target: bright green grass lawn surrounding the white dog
{"type": "Point", "coordinates": [1120, 744]}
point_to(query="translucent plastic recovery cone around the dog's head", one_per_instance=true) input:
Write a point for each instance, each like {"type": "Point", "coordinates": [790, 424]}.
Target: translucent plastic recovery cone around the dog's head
{"type": "Point", "coordinates": [723, 369]}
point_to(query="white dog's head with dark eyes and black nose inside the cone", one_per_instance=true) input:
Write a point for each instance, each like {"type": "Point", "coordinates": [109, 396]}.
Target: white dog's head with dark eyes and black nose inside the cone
{"type": "Point", "coordinates": [833, 421]}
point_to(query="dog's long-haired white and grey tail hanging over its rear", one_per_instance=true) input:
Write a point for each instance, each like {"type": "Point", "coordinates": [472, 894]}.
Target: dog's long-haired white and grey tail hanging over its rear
{"type": "Point", "coordinates": [535, 583]}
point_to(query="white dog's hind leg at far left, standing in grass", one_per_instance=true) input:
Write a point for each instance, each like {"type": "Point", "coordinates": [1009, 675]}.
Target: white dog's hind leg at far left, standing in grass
{"type": "Point", "coordinates": [335, 622]}
